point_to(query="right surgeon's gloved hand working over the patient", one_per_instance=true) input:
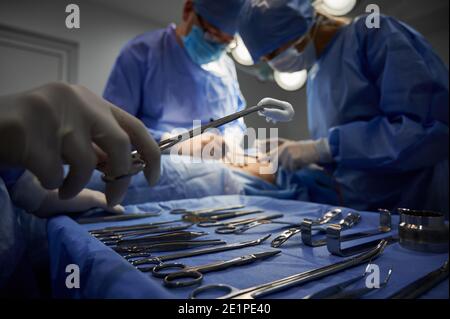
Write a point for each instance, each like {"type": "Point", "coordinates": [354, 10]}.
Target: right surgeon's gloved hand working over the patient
{"type": "Point", "coordinates": [294, 155]}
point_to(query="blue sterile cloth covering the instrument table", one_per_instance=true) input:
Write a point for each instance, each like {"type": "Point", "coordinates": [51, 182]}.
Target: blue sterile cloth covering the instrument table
{"type": "Point", "coordinates": [104, 274]}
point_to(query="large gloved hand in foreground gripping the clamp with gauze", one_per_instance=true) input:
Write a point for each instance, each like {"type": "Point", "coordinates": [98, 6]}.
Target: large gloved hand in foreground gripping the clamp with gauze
{"type": "Point", "coordinates": [42, 128]}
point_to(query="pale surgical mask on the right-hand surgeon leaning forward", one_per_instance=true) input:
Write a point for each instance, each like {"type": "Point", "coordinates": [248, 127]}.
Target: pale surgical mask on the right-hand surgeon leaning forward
{"type": "Point", "coordinates": [291, 60]}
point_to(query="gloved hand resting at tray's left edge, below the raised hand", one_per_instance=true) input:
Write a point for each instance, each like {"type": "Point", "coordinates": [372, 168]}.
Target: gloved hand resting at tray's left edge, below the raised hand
{"type": "Point", "coordinates": [28, 194]}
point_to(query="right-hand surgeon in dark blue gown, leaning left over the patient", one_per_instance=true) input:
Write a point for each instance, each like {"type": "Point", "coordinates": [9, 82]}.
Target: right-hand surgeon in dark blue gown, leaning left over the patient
{"type": "Point", "coordinates": [377, 103]}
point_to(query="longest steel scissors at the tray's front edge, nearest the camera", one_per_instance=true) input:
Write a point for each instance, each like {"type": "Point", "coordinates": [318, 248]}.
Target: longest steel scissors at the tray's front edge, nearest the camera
{"type": "Point", "coordinates": [291, 281]}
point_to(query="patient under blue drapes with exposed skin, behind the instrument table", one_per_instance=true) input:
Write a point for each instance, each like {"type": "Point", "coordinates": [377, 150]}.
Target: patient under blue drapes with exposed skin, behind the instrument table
{"type": "Point", "coordinates": [182, 178]}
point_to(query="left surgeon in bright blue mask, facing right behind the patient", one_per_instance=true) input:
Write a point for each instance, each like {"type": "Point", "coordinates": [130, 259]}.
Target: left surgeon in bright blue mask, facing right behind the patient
{"type": "Point", "coordinates": [170, 77]}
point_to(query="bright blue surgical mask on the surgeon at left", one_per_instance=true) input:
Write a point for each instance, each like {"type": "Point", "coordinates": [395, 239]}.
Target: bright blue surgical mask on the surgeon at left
{"type": "Point", "coordinates": [201, 50]}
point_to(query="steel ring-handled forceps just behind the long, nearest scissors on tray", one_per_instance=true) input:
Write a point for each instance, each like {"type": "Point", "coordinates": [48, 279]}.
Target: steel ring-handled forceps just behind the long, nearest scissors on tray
{"type": "Point", "coordinates": [179, 278]}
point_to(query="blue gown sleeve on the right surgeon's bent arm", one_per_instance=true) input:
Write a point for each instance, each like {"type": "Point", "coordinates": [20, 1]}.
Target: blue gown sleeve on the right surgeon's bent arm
{"type": "Point", "coordinates": [411, 130]}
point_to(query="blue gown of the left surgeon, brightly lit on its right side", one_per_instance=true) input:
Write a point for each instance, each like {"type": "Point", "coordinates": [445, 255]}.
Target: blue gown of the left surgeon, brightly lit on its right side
{"type": "Point", "coordinates": [155, 80]}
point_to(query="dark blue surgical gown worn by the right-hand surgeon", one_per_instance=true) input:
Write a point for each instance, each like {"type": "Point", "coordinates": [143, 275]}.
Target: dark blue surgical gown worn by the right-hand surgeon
{"type": "Point", "coordinates": [381, 98]}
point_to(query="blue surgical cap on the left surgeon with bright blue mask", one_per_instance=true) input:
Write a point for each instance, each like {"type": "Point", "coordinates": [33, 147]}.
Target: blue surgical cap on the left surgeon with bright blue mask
{"type": "Point", "coordinates": [223, 14]}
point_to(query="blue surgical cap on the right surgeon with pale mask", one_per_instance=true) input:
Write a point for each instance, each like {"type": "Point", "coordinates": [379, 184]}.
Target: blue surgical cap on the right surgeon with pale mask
{"type": "Point", "coordinates": [266, 25]}
